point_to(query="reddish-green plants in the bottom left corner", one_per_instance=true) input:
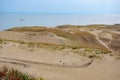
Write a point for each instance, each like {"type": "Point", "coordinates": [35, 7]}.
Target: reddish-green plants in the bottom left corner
{"type": "Point", "coordinates": [12, 74]}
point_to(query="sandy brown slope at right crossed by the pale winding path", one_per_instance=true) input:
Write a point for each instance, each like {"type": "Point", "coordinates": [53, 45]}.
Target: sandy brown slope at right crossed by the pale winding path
{"type": "Point", "coordinates": [106, 38]}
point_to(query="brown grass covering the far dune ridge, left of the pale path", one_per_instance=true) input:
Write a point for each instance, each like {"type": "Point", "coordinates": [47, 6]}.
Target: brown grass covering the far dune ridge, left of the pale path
{"type": "Point", "coordinates": [83, 38]}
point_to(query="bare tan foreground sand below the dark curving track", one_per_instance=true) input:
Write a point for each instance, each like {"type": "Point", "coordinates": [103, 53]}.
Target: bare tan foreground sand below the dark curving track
{"type": "Point", "coordinates": [99, 70]}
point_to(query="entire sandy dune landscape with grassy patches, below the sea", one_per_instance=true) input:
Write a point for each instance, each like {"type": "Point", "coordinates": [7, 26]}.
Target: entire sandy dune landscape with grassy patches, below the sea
{"type": "Point", "coordinates": [64, 52]}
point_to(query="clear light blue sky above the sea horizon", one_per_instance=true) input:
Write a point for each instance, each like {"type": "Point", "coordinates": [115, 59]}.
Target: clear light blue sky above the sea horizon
{"type": "Point", "coordinates": [61, 6]}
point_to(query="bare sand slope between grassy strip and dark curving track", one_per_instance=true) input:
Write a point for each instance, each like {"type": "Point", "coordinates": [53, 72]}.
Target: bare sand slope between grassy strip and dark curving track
{"type": "Point", "coordinates": [42, 55]}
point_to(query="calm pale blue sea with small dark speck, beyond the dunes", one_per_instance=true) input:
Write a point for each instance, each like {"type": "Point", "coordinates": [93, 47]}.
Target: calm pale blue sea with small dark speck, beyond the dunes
{"type": "Point", "coordinates": [9, 20]}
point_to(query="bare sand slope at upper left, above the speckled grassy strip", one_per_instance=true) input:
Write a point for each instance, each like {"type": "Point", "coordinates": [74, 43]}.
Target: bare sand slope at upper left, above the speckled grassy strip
{"type": "Point", "coordinates": [33, 37]}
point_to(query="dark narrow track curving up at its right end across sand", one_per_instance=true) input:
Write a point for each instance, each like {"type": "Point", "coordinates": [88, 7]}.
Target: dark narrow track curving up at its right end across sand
{"type": "Point", "coordinates": [25, 62]}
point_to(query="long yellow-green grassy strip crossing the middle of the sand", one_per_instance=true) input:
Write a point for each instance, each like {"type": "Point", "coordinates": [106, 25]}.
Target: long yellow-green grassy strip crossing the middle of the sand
{"type": "Point", "coordinates": [86, 52]}
